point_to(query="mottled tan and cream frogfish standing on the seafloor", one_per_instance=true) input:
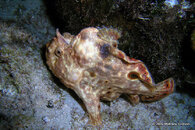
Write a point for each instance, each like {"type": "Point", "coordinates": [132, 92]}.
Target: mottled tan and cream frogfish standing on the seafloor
{"type": "Point", "coordinates": [92, 65]}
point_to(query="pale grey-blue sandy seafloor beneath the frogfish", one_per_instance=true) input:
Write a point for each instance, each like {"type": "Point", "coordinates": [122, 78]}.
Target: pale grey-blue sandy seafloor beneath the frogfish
{"type": "Point", "coordinates": [31, 98]}
